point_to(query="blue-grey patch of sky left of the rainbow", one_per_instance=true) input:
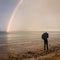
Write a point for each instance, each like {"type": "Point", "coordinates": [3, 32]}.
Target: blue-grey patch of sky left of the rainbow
{"type": "Point", "coordinates": [6, 8]}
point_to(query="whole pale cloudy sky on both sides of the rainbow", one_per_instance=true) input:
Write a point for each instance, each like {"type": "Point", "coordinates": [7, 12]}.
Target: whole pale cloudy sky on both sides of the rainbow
{"type": "Point", "coordinates": [32, 15]}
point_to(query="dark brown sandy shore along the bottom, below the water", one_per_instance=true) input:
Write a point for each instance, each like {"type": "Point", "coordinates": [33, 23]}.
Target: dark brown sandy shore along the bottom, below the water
{"type": "Point", "coordinates": [52, 54]}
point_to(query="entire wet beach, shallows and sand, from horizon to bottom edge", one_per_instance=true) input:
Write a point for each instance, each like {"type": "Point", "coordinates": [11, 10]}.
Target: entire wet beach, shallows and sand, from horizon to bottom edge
{"type": "Point", "coordinates": [29, 46]}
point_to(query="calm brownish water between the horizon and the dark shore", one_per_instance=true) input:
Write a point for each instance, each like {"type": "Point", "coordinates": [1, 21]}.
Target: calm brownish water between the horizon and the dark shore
{"type": "Point", "coordinates": [25, 40]}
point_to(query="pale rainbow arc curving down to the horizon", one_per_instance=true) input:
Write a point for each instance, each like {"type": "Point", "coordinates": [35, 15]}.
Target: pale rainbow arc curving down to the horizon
{"type": "Point", "coordinates": [13, 14]}
